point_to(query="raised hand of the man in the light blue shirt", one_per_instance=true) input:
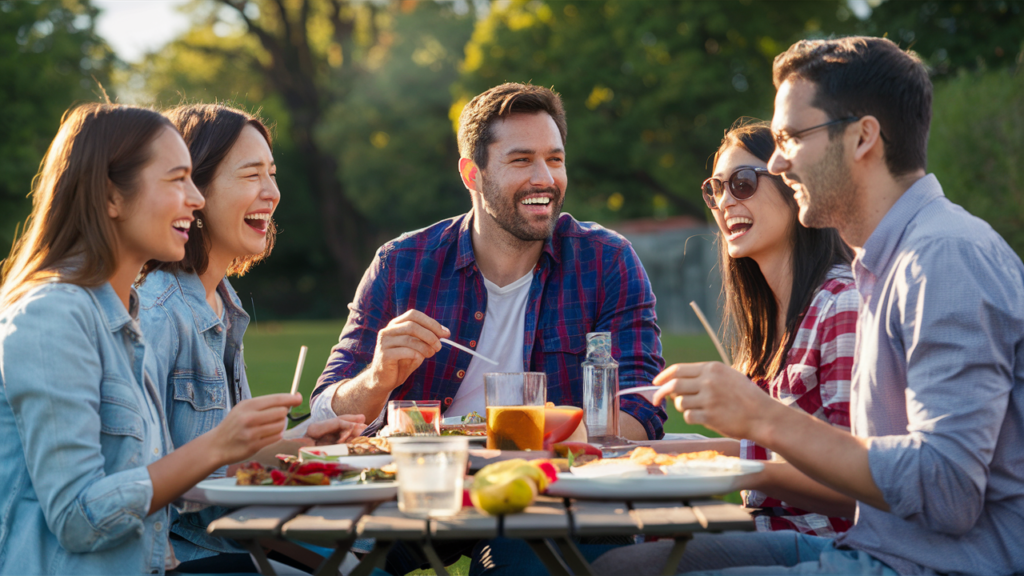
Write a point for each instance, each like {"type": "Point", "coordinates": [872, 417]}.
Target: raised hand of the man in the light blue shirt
{"type": "Point", "coordinates": [713, 395]}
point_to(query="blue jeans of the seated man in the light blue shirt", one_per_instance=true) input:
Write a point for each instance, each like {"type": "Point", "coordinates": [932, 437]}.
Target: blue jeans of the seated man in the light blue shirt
{"type": "Point", "coordinates": [745, 553]}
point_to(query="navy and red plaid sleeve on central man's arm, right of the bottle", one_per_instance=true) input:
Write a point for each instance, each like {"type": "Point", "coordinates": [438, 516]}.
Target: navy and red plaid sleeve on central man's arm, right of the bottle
{"type": "Point", "coordinates": [628, 312]}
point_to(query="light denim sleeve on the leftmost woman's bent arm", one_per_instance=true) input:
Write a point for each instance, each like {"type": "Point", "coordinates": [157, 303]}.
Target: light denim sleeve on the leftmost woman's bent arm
{"type": "Point", "coordinates": [57, 402]}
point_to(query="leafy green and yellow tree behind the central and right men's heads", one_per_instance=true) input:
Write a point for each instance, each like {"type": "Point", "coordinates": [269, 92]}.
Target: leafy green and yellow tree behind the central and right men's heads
{"type": "Point", "coordinates": [649, 87]}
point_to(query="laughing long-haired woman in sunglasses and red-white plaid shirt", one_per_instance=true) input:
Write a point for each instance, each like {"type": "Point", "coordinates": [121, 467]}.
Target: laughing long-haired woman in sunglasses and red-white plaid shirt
{"type": "Point", "coordinates": [791, 313]}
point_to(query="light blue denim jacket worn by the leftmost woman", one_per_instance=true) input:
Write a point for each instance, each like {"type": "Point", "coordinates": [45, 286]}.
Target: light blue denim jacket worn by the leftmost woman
{"type": "Point", "coordinates": [80, 420]}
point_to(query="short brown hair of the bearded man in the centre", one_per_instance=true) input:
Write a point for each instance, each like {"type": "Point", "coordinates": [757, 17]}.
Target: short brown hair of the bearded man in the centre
{"type": "Point", "coordinates": [502, 102]}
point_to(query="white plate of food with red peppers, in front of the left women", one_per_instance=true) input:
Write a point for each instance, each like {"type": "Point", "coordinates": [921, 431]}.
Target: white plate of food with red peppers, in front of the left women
{"type": "Point", "coordinates": [302, 483]}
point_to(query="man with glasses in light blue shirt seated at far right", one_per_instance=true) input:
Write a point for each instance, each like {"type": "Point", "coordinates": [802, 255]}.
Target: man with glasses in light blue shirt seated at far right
{"type": "Point", "coordinates": [935, 459]}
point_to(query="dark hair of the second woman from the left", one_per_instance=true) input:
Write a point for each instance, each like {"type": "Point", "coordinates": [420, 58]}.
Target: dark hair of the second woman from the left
{"type": "Point", "coordinates": [210, 132]}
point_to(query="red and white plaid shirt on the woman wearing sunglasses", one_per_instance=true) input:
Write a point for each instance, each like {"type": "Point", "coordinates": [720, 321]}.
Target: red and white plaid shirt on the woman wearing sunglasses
{"type": "Point", "coordinates": [817, 380]}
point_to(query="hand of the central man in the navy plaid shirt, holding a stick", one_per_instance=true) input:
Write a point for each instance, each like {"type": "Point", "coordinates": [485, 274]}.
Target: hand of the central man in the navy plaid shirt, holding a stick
{"type": "Point", "coordinates": [402, 348]}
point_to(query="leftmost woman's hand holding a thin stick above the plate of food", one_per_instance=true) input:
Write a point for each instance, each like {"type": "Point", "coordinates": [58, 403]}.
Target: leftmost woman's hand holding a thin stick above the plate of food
{"type": "Point", "coordinates": [251, 426]}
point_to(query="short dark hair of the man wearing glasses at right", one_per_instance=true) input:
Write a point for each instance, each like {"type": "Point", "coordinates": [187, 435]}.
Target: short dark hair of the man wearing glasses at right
{"type": "Point", "coordinates": [863, 76]}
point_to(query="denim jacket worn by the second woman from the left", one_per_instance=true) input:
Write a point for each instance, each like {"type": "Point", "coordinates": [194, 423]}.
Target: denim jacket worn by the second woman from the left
{"type": "Point", "coordinates": [196, 385]}
